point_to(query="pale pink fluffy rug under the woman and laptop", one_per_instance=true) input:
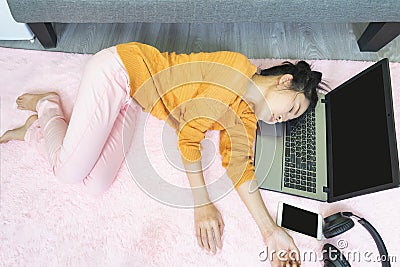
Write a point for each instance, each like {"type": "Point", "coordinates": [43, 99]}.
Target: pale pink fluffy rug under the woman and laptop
{"type": "Point", "coordinates": [46, 223]}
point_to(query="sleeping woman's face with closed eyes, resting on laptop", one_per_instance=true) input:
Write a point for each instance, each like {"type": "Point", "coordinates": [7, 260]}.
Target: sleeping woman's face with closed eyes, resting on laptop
{"type": "Point", "coordinates": [283, 105]}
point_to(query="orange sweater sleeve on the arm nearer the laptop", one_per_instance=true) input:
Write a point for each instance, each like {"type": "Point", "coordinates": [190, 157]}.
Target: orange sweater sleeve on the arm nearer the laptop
{"type": "Point", "coordinates": [236, 149]}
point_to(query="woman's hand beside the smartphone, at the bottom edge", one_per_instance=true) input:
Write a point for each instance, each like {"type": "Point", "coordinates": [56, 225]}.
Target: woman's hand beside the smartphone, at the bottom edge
{"type": "Point", "coordinates": [286, 253]}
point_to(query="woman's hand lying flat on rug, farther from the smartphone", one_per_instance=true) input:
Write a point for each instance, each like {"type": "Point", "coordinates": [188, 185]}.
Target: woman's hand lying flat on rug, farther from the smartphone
{"type": "Point", "coordinates": [209, 227]}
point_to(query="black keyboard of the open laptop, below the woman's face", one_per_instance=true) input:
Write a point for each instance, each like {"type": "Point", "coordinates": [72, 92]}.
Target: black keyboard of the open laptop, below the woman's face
{"type": "Point", "coordinates": [300, 155]}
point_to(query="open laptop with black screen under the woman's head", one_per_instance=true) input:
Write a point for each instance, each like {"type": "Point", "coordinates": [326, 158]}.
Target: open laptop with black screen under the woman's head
{"type": "Point", "coordinates": [343, 148]}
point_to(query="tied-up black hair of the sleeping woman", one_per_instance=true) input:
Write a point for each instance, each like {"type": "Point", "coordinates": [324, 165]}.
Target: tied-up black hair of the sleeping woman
{"type": "Point", "coordinates": [304, 79]}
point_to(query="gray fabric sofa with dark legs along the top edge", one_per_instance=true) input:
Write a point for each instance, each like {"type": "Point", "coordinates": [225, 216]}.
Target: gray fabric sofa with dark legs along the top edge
{"type": "Point", "coordinates": [383, 16]}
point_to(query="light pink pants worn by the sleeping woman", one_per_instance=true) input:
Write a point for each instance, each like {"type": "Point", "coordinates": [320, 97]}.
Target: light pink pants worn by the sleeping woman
{"type": "Point", "coordinates": [90, 149]}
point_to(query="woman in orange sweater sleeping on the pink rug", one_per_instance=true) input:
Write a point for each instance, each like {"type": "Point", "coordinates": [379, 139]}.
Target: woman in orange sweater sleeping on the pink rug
{"type": "Point", "coordinates": [193, 93]}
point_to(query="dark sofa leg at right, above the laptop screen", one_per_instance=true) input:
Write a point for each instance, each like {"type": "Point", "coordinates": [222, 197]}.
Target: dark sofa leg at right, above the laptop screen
{"type": "Point", "coordinates": [377, 35]}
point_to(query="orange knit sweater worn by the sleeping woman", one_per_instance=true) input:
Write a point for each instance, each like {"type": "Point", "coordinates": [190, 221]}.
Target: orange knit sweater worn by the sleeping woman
{"type": "Point", "coordinates": [195, 93]}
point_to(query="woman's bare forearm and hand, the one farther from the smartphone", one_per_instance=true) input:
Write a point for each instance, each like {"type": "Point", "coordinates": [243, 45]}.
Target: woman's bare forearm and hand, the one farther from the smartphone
{"type": "Point", "coordinates": [208, 221]}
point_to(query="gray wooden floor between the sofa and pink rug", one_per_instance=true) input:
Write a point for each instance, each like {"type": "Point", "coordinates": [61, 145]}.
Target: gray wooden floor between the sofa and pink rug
{"type": "Point", "coordinates": [255, 40]}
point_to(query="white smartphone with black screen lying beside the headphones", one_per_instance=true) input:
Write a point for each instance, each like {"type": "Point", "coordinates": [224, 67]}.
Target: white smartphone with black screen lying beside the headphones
{"type": "Point", "coordinates": [299, 220]}
